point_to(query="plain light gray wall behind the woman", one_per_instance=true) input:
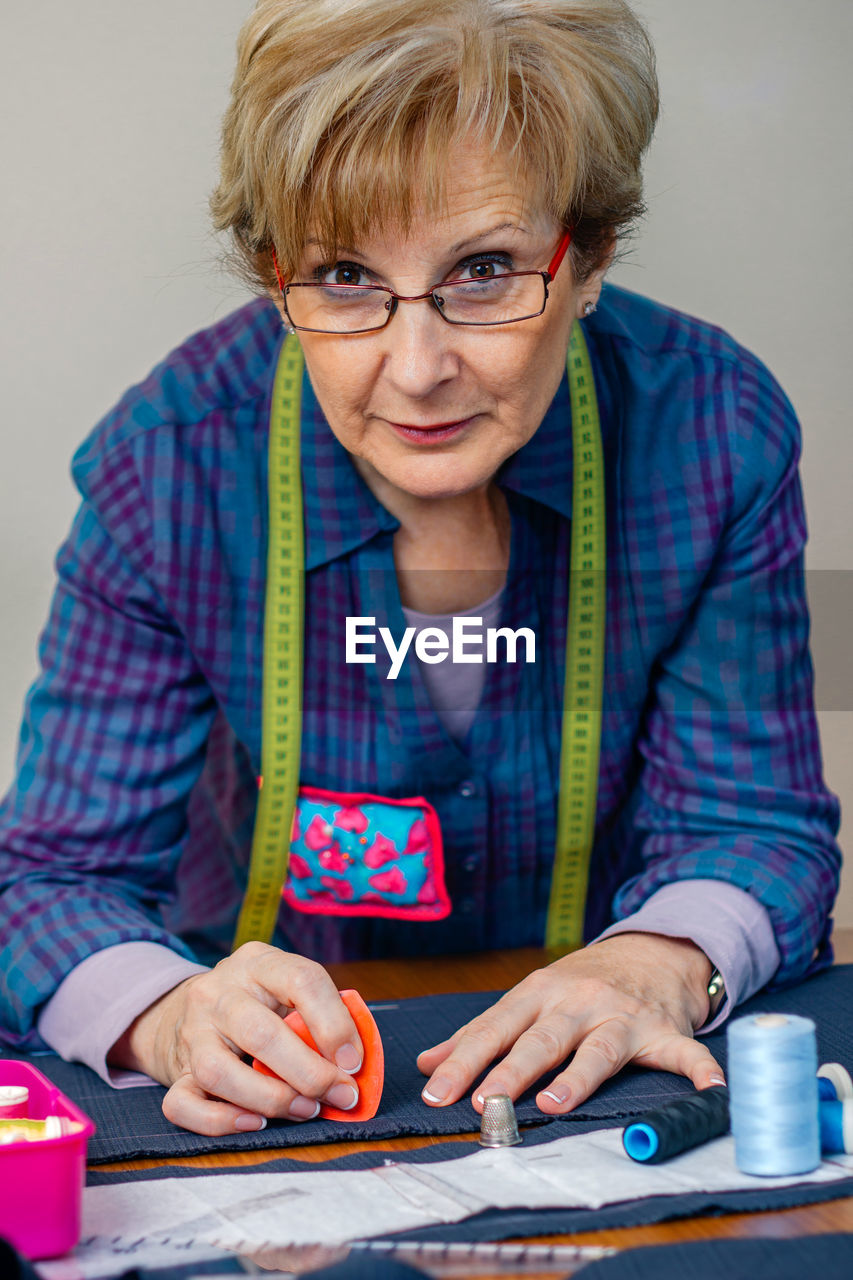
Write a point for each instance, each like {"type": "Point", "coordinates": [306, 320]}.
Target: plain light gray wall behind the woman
{"type": "Point", "coordinates": [111, 120]}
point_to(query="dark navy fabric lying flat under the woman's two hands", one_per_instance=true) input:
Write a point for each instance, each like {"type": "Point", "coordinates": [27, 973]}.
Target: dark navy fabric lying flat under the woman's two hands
{"type": "Point", "coordinates": [131, 1123]}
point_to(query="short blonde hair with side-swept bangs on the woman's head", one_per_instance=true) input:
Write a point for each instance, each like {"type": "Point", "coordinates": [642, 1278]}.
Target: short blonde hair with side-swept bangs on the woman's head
{"type": "Point", "coordinates": [344, 112]}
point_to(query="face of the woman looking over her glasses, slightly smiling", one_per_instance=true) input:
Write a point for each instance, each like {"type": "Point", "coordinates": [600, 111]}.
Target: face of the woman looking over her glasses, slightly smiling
{"type": "Point", "coordinates": [431, 409]}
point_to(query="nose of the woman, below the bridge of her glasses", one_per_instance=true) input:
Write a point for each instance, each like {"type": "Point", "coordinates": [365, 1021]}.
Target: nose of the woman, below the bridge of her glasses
{"type": "Point", "coordinates": [419, 349]}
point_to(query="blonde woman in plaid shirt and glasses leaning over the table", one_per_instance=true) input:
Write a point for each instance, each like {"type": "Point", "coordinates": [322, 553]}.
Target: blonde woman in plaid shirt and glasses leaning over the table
{"type": "Point", "coordinates": [428, 196]}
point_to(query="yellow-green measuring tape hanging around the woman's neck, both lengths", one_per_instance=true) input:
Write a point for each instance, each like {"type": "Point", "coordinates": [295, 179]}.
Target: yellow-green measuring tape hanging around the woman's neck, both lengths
{"type": "Point", "coordinates": [284, 642]}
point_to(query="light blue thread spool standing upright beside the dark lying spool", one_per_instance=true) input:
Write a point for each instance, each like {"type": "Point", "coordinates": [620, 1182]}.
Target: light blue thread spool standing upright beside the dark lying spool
{"type": "Point", "coordinates": [773, 1086]}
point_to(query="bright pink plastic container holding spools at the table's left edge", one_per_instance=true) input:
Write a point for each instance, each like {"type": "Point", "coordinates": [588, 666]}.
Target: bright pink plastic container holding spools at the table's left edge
{"type": "Point", "coordinates": [42, 1183]}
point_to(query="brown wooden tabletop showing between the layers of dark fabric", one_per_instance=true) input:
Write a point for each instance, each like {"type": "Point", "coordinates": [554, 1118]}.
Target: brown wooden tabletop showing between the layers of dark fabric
{"type": "Point", "coordinates": [384, 980]}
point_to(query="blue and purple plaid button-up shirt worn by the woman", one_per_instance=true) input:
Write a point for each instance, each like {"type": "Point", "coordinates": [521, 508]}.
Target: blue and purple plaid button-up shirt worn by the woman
{"type": "Point", "coordinates": [131, 813]}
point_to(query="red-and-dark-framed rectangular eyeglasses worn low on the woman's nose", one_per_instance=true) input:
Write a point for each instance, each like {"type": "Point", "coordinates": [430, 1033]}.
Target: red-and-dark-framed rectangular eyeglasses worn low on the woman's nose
{"type": "Point", "coordinates": [503, 298]}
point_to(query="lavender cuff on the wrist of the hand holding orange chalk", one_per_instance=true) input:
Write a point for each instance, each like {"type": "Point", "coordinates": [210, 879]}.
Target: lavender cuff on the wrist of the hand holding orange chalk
{"type": "Point", "coordinates": [101, 998]}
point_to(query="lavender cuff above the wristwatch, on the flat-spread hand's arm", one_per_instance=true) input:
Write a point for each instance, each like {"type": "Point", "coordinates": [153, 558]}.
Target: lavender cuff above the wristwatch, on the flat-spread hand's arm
{"type": "Point", "coordinates": [729, 925]}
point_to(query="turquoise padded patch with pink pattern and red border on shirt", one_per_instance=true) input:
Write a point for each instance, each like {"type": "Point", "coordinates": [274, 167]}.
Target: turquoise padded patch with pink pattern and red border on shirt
{"type": "Point", "coordinates": [359, 854]}
